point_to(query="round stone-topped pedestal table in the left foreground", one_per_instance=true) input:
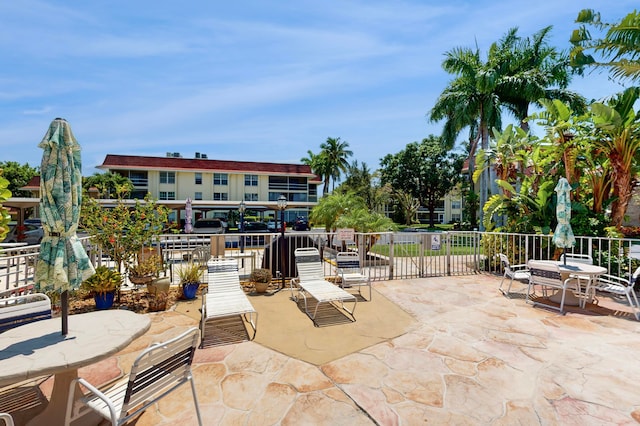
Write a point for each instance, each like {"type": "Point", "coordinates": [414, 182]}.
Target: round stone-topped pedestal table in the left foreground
{"type": "Point", "coordinates": [39, 349]}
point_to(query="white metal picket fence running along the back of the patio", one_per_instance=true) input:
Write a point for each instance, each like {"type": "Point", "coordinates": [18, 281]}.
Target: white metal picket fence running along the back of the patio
{"type": "Point", "coordinates": [386, 255]}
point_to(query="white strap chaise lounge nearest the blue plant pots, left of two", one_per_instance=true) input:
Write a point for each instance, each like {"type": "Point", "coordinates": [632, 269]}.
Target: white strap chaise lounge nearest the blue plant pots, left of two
{"type": "Point", "coordinates": [225, 297]}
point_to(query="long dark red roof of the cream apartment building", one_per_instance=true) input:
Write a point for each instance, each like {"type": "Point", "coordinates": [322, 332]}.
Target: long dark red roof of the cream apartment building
{"type": "Point", "coordinates": [125, 162]}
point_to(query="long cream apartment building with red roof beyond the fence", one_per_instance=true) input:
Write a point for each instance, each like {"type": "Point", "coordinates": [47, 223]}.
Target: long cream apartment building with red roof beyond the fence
{"type": "Point", "coordinates": [217, 186]}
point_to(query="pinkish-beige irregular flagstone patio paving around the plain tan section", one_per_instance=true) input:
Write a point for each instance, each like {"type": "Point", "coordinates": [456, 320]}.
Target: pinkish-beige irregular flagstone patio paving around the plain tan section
{"type": "Point", "coordinates": [472, 357]}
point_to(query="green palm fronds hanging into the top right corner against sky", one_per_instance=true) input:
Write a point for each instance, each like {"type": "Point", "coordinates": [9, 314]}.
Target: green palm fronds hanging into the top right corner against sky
{"type": "Point", "coordinates": [619, 48]}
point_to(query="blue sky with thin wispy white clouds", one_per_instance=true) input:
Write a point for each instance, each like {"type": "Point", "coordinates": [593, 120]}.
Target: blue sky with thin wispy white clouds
{"type": "Point", "coordinates": [249, 80]}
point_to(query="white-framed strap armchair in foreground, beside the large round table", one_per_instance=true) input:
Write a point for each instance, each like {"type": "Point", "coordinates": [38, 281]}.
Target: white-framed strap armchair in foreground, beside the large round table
{"type": "Point", "coordinates": [156, 372]}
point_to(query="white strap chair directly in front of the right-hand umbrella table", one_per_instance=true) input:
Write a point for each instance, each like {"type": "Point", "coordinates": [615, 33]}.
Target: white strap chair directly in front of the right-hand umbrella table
{"type": "Point", "coordinates": [547, 276]}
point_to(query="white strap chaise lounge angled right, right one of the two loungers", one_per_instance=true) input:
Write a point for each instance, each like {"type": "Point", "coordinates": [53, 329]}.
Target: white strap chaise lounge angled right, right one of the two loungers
{"type": "Point", "coordinates": [311, 282]}
